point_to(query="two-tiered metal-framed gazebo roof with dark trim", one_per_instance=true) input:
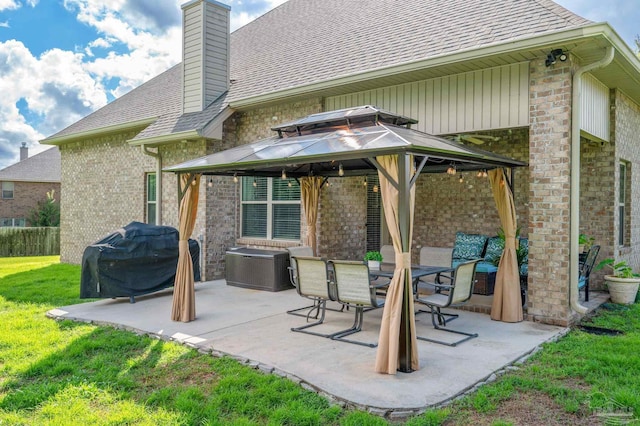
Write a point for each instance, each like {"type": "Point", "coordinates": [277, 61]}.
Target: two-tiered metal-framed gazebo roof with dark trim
{"type": "Point", "coordinates": [320, 143]}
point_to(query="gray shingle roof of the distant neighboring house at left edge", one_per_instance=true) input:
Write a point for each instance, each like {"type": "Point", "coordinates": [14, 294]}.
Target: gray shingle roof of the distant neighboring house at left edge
{"type": "Point", "coordinates": [42, 167]}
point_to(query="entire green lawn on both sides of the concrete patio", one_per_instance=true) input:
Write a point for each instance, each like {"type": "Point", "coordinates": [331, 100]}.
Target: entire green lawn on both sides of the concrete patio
{"type": "Point", "coordinates": [66, 373]}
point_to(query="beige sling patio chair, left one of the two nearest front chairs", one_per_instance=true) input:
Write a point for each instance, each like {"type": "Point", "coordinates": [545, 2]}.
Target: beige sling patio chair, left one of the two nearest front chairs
{"type": "Point", "coordinates": [313, 283]}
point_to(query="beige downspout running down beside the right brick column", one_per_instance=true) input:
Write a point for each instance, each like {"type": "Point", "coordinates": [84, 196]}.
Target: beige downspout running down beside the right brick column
{"type": "Point", "coordinates": [574, 211]}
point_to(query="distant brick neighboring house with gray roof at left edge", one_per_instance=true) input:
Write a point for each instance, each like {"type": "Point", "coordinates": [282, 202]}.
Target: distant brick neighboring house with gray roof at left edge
{"type": "Point", "coordinates": [26, 183]}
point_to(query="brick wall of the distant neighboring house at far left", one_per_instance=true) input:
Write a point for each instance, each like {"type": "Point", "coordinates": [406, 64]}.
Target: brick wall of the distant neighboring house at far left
{"type": "Point", "coordinates": [26, 196]}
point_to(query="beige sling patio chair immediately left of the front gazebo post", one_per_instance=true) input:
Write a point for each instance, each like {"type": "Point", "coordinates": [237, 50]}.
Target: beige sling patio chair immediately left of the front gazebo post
{"type": "Point", "coordinates": [354, 289]}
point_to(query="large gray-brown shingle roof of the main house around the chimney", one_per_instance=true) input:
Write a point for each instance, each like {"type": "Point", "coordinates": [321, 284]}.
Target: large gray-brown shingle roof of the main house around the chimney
{"type": "Point", "coordinates": [308, 41]}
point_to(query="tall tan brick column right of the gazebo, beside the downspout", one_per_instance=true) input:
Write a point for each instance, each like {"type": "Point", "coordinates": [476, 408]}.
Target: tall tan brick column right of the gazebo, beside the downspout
{"type": "Point", "coordinates": [549, 167]}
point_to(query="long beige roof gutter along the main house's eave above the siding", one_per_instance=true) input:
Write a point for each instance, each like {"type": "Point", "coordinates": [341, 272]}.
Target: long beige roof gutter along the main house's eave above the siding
{"type": "Point", "coordinates": [539, 42]}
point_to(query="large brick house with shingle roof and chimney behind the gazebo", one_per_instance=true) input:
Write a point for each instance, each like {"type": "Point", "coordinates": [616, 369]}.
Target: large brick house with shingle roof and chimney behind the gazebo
{"type": "Point", "coordinates": [515, 75]}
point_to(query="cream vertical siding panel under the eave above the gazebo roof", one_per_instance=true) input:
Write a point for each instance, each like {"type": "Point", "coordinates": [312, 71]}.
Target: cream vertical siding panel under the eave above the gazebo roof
{"type": "Point", "coordinates": [493, 98]}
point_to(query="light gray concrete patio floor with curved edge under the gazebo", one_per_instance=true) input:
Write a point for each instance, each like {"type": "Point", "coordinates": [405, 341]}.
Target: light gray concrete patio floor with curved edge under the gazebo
{"type": "Point", "coordinates": [253, 327]}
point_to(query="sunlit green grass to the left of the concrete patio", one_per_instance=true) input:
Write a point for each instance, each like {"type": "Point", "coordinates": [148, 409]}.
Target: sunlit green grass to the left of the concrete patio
{"type": "Point", "coordinates": [66, 373]}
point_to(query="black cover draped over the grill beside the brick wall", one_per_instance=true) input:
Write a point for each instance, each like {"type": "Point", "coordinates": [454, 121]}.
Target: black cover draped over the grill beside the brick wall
{"type": "Point", "coordinates": [134, 260]}
